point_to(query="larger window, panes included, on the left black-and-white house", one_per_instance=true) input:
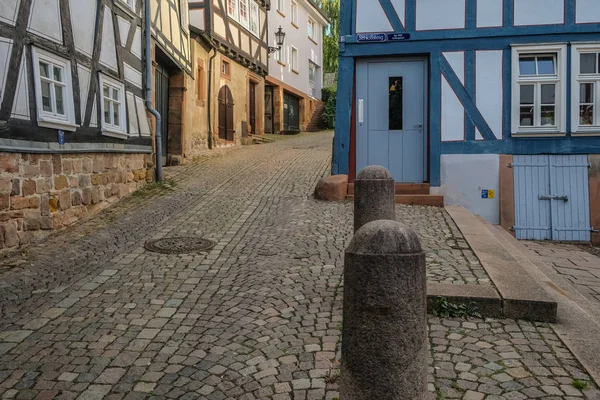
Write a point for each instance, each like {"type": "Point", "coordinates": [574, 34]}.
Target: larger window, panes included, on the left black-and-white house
{"type": "Point", "coordinates": [53, 90]}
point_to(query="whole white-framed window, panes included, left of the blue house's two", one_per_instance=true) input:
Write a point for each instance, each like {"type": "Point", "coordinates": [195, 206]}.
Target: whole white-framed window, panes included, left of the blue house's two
{"type": "Point", "coordinates": [538, 90]}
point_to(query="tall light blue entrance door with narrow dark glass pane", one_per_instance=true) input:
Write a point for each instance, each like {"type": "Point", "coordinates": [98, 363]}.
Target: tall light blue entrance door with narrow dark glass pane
{"type": "Point", "coordinates": [390, 117]}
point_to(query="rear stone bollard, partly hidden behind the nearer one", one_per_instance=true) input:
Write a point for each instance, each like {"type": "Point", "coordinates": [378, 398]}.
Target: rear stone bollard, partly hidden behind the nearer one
{"type": "Point", "coordinates": [374, 190]}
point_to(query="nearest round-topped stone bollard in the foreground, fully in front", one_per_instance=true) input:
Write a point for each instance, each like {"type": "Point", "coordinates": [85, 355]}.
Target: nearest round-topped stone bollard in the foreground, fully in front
{"type": "Point", "coordinates": [384, 334]}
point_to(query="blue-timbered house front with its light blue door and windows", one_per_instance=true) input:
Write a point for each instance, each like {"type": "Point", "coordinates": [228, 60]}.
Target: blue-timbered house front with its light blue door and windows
{"type": "Point", "coordinates": [477, 97]}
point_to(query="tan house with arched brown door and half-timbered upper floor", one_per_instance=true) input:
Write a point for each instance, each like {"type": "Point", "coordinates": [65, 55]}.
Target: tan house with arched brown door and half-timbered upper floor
{"type": "Point", "coordinates": [230, 64]}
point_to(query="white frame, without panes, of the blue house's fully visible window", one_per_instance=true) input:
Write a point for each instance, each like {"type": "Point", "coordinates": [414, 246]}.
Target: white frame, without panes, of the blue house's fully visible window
{"type": "Point", "coordinates": [560, 50]}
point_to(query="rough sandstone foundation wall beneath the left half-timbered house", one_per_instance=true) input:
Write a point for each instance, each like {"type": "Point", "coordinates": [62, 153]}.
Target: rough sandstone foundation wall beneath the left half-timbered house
{"type": "Point", "coordinates": [42, 192]}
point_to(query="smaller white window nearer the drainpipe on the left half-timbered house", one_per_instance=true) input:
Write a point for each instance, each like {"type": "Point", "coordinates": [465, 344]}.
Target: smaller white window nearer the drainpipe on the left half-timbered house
{"type": "Point", "coordinates": [112, 106]}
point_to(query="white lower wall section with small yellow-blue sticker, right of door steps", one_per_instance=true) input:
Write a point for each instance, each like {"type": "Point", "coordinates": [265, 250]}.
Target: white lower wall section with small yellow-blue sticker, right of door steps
{"type": "Point", "coordinates": [463, 176]}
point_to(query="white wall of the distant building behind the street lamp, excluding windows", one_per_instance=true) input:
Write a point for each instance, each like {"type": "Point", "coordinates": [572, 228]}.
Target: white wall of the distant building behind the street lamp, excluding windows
{"type": "Point", "coordinates": [297, 37]}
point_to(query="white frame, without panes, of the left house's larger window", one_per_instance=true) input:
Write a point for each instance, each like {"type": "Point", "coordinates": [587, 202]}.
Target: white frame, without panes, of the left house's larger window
{"type": "Point", "coordinates": [51, 119]}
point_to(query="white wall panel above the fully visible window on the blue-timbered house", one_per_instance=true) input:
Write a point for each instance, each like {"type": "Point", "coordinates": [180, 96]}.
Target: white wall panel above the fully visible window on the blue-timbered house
{"type": "Point", "coordinates": [539, 12]}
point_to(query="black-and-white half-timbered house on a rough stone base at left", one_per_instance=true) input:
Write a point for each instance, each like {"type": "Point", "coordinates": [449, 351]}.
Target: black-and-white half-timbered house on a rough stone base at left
{"type": "Point", "coordinates": [74, 134]}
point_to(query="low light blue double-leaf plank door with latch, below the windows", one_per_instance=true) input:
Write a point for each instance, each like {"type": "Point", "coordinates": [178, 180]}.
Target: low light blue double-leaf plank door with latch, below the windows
{"type": "Point", "coordinates": [552, 197]}
